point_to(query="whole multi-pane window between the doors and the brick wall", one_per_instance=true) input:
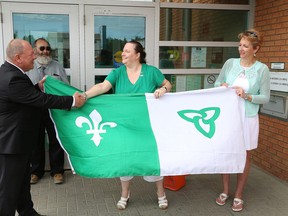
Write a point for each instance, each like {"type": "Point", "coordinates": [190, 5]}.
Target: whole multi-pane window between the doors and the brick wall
{"type": "Point", "coordinates": [196, 37]}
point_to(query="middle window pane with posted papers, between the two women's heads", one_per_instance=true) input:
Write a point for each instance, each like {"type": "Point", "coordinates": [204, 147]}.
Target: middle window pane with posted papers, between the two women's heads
{"type": "Point", "coordinates": [198, 57]}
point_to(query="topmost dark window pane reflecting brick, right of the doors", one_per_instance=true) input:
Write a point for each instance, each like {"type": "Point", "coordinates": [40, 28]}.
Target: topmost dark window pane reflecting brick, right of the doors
{"type": "Point", "coordinates": [201, 25]}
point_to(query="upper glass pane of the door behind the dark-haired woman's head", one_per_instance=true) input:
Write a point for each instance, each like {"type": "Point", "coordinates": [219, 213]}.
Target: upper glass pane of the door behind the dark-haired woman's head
{"type": "Point", "coordinates": [110, 35]}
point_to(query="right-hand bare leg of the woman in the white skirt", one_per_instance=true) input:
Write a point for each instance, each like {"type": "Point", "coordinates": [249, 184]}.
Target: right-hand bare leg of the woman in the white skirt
{"type": "Point", "coordinates": [242, 177]}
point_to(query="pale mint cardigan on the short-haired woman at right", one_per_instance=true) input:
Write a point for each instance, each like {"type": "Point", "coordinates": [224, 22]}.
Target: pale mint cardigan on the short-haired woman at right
{"type": "Point", "coordinates": [258, 76]}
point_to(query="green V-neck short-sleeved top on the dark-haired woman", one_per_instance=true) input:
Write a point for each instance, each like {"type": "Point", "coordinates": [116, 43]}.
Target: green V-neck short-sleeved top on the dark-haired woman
{"type": "Point", "coordinates": [149, 80]}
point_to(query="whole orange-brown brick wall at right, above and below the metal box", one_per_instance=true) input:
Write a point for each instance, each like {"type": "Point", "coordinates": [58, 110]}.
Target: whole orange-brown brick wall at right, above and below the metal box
{"type": "Point", "coordinates": [271, 19]}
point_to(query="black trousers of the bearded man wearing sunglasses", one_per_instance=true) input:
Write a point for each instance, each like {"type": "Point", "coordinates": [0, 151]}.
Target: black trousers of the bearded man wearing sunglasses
{"type": "Point", "coordinates": [56, 153]}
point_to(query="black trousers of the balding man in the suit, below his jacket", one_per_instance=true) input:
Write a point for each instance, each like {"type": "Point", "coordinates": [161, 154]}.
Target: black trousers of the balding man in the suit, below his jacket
{"type": "Point", "coordinates": [15, 185]}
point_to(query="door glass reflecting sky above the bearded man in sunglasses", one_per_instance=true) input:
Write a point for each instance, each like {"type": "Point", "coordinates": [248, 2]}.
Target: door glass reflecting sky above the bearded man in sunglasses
{"type": "Point", "coordinates": [53, 27]}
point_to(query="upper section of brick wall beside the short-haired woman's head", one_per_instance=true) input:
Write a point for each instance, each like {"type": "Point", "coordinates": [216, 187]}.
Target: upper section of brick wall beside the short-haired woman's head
{"type": "Point", "coordinates": [271, 18]}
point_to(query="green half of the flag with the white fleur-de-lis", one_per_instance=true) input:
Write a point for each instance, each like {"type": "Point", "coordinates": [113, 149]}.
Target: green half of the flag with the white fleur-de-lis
{"type": "Point", "coordinates": [109, 136]}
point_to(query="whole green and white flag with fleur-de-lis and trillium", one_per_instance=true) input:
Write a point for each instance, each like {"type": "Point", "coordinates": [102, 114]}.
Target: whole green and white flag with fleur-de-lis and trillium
{"type": "Point", "coordinates": [194, 132]}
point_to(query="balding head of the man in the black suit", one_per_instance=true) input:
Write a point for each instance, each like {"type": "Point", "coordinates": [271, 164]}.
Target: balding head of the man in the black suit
{"type": "Point", "coordinates": [20, 53]}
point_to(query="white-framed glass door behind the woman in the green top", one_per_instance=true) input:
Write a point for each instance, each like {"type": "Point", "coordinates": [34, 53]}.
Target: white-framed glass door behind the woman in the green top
{"type": "Point", "coordinates": [106, 32]}
